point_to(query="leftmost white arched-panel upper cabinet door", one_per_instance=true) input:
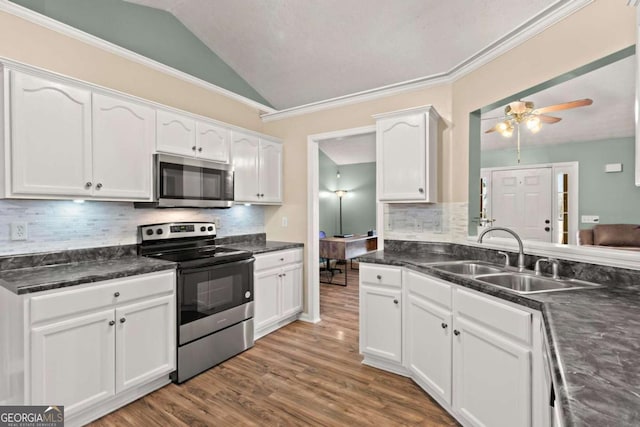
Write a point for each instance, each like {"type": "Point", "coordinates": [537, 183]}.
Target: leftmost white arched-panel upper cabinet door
{"type": "Point", "coordinates": [50, 137]}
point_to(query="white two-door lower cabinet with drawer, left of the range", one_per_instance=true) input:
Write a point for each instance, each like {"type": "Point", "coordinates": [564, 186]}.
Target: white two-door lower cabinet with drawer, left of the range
{"type": "Point", "coordinates": [96, 347]}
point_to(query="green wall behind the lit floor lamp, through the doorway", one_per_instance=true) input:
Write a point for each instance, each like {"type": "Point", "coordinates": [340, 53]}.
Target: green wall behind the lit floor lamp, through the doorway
{"type": "Point", "coordinates": [358, 206]}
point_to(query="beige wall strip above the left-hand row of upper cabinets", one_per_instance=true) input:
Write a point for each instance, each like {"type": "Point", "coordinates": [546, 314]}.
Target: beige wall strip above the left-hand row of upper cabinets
{"type": "Point", "coordinates": [32, 44]}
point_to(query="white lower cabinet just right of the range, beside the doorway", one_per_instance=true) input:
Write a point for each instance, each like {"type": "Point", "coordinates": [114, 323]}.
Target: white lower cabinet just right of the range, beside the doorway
{"type": "Point", "coordinates": [277, 290]}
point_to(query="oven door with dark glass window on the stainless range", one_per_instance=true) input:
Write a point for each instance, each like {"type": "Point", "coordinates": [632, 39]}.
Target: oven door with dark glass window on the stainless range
{"type": "Point", "coordinates": [213, 297]}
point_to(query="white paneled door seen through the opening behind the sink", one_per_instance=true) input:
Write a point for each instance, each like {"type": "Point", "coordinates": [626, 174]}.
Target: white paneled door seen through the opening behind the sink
{"type": "Point", "coordinates": [521, 200]}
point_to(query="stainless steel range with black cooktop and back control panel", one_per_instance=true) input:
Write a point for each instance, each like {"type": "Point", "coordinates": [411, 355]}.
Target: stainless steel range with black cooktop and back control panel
{"type": "Point", "coordinates": [214, 289]}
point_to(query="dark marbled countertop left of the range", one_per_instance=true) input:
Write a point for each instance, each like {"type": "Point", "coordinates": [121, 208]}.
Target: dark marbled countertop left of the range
{"type": "Point", "coordinates": [43, 278]}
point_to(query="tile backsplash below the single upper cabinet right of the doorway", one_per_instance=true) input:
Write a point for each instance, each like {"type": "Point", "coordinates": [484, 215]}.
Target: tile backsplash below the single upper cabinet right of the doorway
{"type": "Point", "coordinates": [441, 222]}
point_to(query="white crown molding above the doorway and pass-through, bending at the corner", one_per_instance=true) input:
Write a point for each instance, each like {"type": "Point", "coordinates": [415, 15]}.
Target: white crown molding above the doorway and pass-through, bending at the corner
{"type": "Point", "coordinates": [543, 20]}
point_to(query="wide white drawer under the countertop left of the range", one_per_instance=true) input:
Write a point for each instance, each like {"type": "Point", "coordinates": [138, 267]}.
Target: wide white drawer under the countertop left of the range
{"type": "Point", "coordinates": [101, 294]}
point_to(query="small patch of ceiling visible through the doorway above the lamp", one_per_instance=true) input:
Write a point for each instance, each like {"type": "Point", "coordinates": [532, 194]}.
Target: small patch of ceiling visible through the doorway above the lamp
{"type": "Point", "coordinates": [350, 150]}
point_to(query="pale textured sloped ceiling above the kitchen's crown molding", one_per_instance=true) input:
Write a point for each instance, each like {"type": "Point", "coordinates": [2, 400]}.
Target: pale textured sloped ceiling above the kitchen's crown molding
{"type": "Point", "coordinates": [295, 52]}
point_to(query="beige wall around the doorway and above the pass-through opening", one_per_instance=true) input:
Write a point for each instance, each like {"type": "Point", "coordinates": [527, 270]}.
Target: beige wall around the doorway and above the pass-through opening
{"type": "Point", "coordinates": [599, 29]}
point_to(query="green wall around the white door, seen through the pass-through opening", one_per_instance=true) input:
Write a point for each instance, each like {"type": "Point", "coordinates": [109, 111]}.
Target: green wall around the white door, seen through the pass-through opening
{"type": "Point", "coordinates": [612, 196]}
